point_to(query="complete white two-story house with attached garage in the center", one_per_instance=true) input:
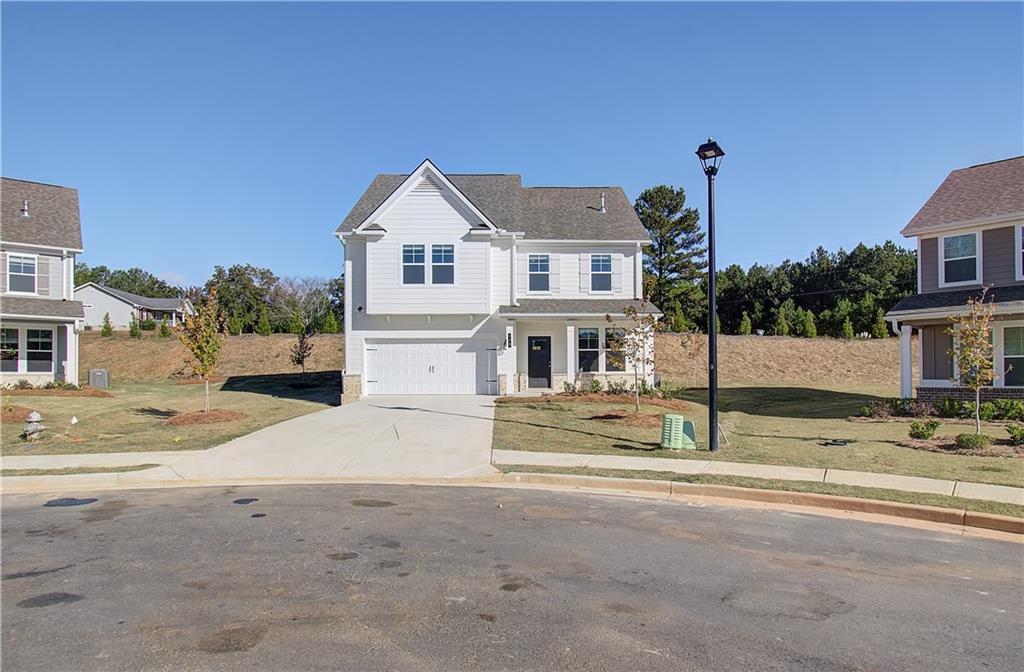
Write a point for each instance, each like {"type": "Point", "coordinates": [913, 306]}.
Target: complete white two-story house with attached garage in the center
{"type": "Point", "coordinates": [474, 284]}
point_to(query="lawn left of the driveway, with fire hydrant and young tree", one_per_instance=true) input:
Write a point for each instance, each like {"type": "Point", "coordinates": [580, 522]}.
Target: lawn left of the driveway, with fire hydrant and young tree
{"type": "Point", "coordinates": [134, 419]}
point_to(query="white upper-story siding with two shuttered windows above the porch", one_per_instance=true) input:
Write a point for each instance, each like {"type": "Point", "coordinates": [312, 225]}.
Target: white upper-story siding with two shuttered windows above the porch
{"type": "Point", "coordinates": [570, 271]}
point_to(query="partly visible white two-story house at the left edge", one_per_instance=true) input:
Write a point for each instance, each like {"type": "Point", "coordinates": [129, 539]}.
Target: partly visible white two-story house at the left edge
{"type": "Point", "coordinates": [40, 236]}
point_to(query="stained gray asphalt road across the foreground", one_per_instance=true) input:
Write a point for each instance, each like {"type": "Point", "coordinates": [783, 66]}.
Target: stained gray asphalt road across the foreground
{"type": "Point", "coordinates": [418, 578]}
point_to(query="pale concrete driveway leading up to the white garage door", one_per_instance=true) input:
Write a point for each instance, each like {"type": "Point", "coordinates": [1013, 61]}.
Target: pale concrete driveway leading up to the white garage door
{"type": "Point", "coordinates": [443, 437]}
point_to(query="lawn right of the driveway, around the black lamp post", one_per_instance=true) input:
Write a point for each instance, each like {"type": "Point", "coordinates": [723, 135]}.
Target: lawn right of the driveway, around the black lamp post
{"type": "Point", "coordinates": [767, 426]}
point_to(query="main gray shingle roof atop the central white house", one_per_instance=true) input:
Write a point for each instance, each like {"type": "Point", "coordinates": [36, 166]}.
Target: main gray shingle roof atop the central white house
{"type": "Point", "coordinates": [541, 213]}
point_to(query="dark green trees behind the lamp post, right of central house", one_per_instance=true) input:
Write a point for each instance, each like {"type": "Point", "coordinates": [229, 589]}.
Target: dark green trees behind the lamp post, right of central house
{"type": "Point", "coordinates": [842, 293]}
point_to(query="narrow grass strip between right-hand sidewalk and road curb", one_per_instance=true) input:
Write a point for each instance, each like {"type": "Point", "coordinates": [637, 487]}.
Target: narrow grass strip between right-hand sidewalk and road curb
{"type": "Point", "coordinates": [881, 494]}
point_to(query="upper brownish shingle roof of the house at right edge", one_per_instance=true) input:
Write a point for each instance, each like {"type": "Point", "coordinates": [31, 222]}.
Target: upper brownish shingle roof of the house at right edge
{"type": "Point", "coordinates": [983, 192]}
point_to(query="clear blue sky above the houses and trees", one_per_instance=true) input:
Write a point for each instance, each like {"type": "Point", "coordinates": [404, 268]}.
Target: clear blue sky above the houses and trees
{"type": "Point", "coordinates": [220, 134]}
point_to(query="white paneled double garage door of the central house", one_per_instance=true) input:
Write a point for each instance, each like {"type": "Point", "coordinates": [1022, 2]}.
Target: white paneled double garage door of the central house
{"type": "Point", "coordinates": [431, 368]}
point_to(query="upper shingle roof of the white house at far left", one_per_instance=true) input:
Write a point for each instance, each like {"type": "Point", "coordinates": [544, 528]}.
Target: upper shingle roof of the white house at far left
{"type": "Point", "coordinates": [54, 219]}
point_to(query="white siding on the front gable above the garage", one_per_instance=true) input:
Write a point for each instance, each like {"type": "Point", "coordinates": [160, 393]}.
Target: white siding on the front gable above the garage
{"type": "Point", "coordinates": [429, 216]}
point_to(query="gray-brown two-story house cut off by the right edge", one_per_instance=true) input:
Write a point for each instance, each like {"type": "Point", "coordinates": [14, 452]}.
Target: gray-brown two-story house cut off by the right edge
{"type": "Point", "coordinates": [969, 236]}
